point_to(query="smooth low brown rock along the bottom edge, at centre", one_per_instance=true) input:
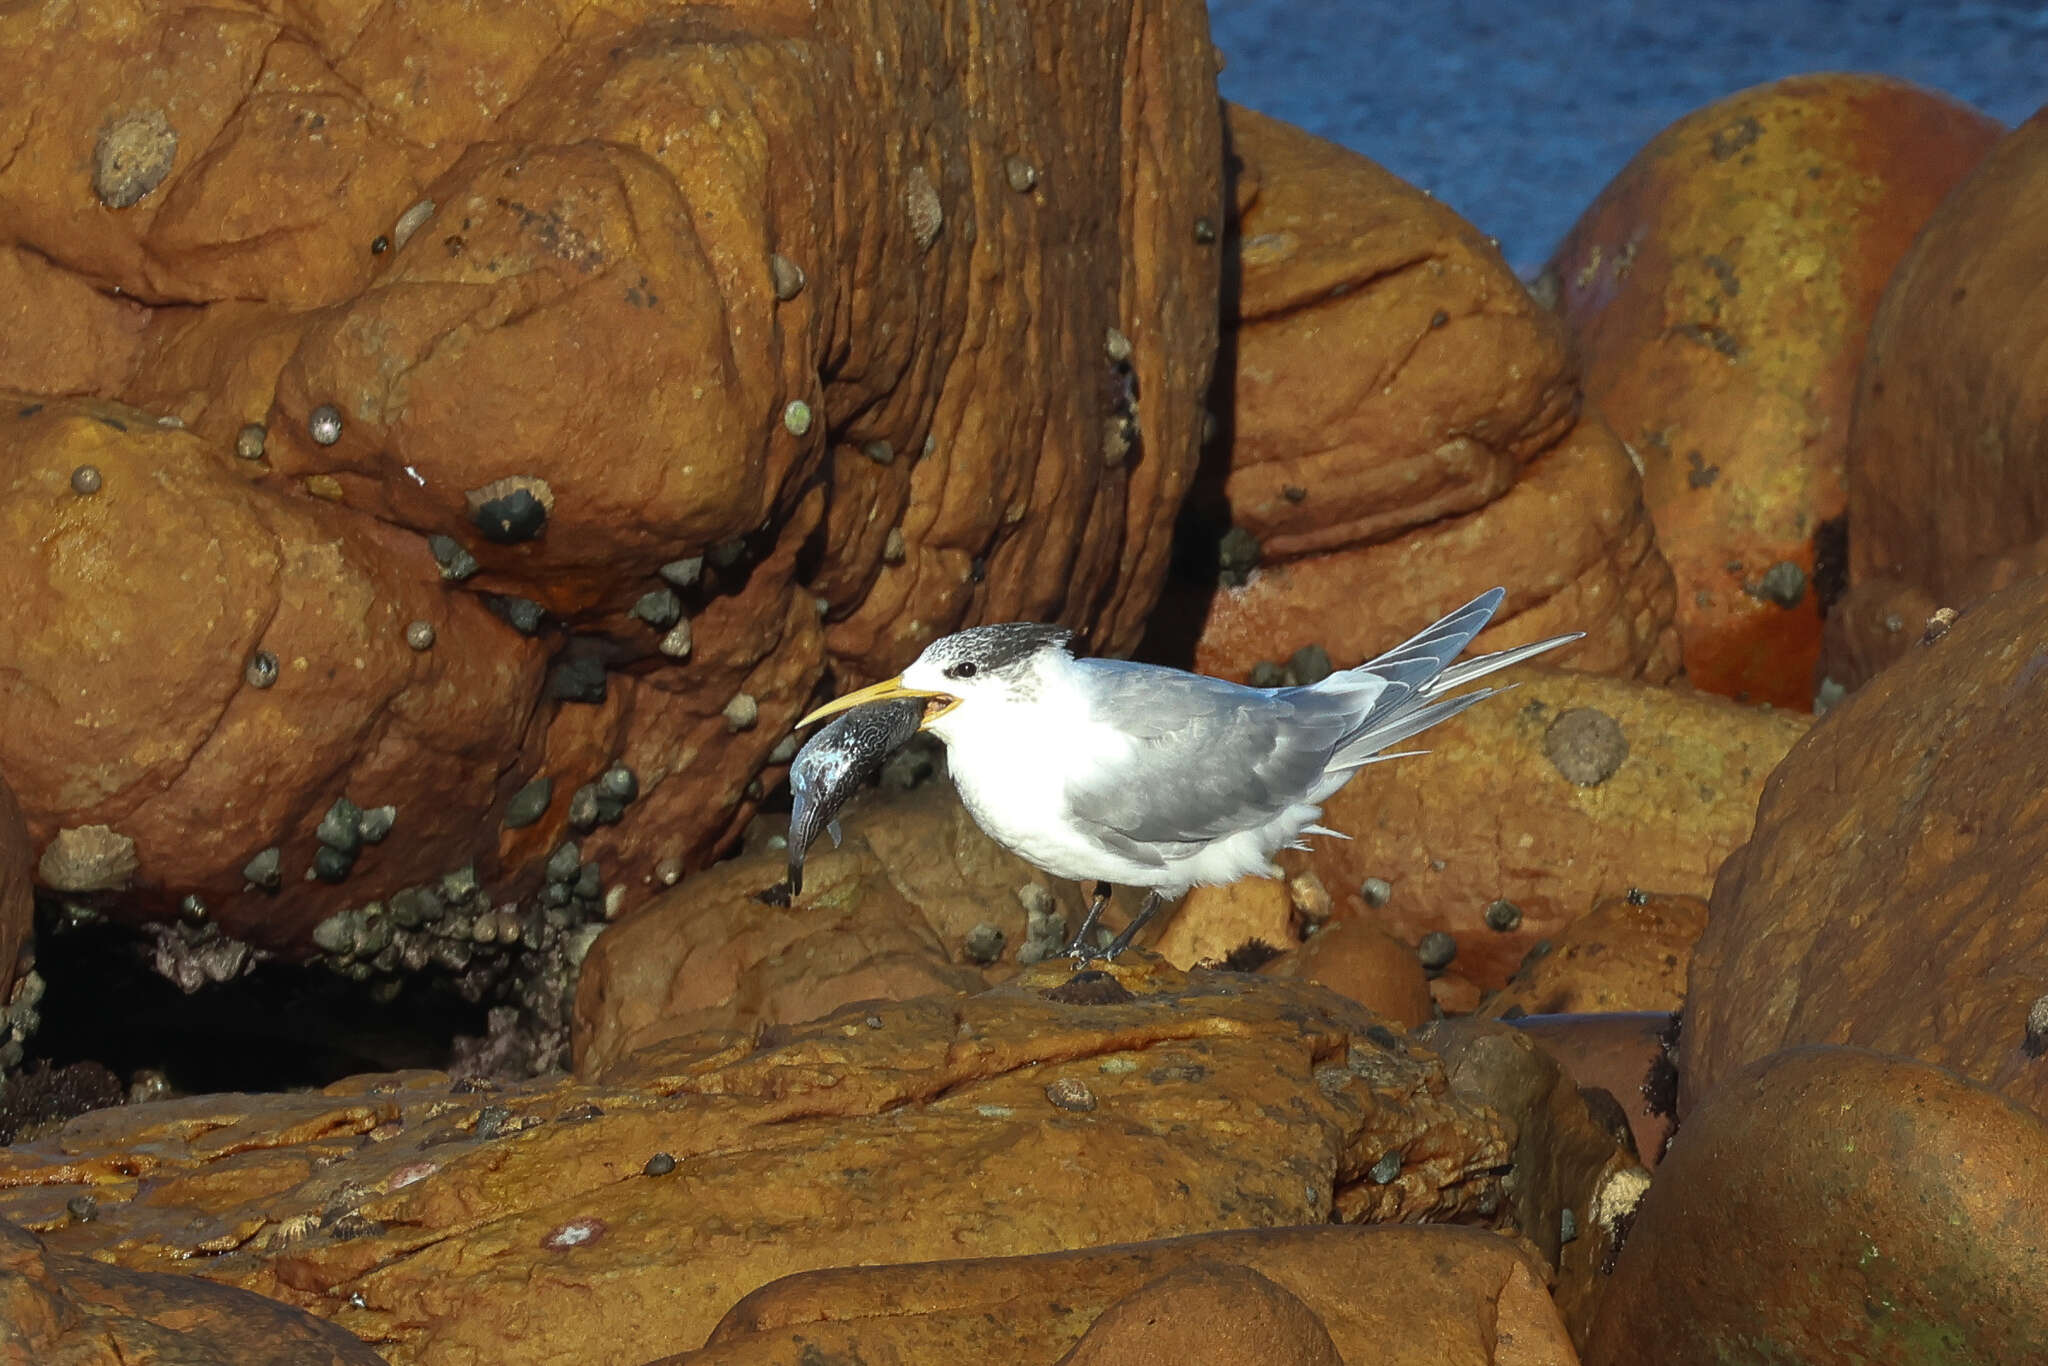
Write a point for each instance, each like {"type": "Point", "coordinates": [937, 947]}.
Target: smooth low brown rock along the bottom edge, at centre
{"type": "Point", "coordinates": [1439, 1297]}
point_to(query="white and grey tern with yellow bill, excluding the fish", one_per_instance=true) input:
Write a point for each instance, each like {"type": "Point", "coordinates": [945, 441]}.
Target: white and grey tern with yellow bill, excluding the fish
{"type": "Point", "coordinates": [1140, 775]}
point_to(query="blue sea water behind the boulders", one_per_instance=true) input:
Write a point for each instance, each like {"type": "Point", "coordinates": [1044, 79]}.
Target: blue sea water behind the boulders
{"type": "Point", "coordinates": [1519, 116]}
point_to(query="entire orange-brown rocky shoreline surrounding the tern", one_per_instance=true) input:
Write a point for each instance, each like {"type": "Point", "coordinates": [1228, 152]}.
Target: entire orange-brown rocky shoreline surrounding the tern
{"type": "Point", "coordinates": [443, 456]}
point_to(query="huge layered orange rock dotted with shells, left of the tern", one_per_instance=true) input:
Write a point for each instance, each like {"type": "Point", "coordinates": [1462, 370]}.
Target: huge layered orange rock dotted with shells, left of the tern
{"type": "Point", "coordinates": [607, 206]}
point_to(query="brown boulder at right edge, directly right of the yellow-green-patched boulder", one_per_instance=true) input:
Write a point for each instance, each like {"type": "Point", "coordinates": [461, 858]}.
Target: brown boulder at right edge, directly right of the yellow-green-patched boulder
{"type": "Point", "coordinates": [1949, 409]}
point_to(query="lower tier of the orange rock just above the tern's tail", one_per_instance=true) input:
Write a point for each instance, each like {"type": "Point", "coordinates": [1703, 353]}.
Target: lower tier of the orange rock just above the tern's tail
{"type": "Point", "coordinates": [1570, 542]}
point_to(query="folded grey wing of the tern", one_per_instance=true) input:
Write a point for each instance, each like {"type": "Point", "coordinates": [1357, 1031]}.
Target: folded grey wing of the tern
{"type": "Point", "coordinates": [1205, 757]}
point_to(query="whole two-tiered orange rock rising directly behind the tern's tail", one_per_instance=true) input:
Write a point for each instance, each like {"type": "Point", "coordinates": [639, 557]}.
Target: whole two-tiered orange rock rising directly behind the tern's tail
{"type": "Point", "coordinates": [1404, 433]}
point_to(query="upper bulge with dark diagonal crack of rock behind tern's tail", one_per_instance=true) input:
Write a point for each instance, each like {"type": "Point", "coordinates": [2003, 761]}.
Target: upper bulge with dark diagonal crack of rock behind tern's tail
{"type": "Point", "coordinates": [1451, 376]}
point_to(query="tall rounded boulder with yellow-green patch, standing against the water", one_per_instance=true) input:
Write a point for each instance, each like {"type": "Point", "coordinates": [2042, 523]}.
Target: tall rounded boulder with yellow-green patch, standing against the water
{"type": "Point", "coordinates": [1721, 290]}
